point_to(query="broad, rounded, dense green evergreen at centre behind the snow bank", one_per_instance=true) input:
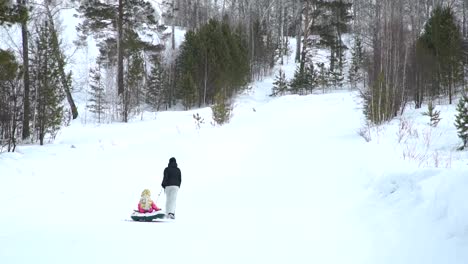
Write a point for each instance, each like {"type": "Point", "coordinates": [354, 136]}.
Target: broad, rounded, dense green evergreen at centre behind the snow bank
{"type": "Point", "coordinates": [215, 58]}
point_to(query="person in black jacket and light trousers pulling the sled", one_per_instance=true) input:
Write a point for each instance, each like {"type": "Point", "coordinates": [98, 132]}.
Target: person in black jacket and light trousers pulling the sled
{"type": "Point", "coordinates": [171, 184]}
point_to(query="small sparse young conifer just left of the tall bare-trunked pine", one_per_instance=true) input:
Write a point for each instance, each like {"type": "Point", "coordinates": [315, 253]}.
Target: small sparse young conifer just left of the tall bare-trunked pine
{"type": "Point", "coordinates": [97, 103]}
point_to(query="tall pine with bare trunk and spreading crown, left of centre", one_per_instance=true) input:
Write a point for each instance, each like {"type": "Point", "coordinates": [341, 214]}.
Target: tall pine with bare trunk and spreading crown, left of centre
{"type": "Point", "coordinates": [126, 19]}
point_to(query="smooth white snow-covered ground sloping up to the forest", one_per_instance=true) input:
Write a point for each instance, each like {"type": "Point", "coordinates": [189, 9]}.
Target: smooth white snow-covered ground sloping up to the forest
{"type": "Point", "coordinates": [288, 180]}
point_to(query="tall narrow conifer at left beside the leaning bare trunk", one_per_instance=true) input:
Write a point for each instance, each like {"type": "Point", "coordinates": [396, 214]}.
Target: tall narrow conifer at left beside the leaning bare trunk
{"type": "Point", "coordinates": [48, 84]}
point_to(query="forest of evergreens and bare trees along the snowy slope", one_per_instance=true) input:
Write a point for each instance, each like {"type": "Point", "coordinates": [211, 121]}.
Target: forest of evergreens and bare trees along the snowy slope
{"type": "Point", "coordinates": [395, 52]}
